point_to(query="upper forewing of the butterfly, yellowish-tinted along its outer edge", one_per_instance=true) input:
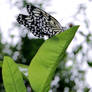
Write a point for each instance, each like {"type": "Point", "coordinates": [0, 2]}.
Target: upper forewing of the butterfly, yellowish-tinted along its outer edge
{"type": "Point", "coordinates": [55, 25]}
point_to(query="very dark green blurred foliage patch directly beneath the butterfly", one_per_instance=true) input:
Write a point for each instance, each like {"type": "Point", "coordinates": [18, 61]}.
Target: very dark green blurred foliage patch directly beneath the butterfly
{"type": "Point", "coordinates": [29, 48]}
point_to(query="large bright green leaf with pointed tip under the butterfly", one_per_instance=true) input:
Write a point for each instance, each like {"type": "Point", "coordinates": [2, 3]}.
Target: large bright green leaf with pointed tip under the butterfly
{"type": "Point", "coordinates": [44, 64]}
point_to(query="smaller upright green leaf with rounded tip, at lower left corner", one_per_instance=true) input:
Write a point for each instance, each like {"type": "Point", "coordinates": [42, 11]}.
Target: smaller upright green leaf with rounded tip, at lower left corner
{"type": "Point", "coordinates": [12, 78]}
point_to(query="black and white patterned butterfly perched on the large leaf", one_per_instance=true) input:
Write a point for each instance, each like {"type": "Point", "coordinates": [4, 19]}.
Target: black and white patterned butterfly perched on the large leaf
{"type": "Point", "coordinates": [39, 22]}
